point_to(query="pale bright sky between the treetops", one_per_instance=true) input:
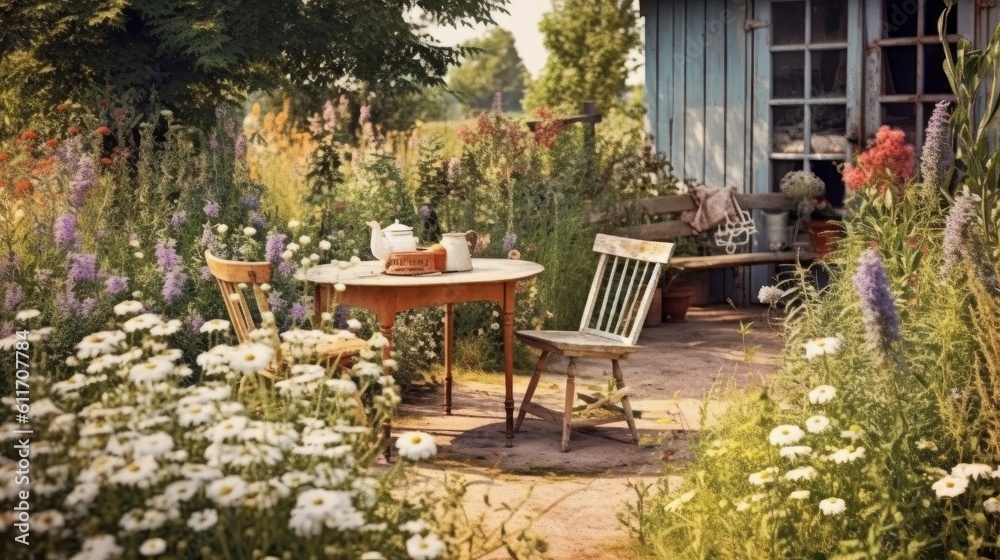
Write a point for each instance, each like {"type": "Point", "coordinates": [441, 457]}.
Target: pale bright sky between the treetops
{"type": "Point", "coordinates": [522, 22]}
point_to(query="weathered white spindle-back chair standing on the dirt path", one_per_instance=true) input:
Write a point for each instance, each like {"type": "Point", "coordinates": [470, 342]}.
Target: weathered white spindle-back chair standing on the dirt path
{"type": "Point", "coordinates": [623, 287]}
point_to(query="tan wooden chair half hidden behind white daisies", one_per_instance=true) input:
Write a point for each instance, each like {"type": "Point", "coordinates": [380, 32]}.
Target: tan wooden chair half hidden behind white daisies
{"type": "Point", "coordinates": [230, 274]}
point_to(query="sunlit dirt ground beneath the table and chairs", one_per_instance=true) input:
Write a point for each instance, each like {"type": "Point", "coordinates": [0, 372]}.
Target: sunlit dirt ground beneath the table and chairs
{"type": "Point", "coordinates": [572, 499]}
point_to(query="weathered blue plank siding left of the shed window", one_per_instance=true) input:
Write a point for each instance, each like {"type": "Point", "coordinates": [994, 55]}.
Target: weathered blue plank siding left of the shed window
{"type": "Point", "coordinates": [697, 61]}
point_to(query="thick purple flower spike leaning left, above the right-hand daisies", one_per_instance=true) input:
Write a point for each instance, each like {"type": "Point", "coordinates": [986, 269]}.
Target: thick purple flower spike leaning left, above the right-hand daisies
{"type": "Point", "coordinates": [878, 307]}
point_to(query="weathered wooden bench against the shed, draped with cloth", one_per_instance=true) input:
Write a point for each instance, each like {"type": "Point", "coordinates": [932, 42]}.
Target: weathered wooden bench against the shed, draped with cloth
{"type": "Point", "coordinates": [673, 228]}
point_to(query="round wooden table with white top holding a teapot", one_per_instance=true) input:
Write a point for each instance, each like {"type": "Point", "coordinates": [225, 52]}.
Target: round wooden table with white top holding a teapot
{"type": "Point", "coordinates": [370, 288]}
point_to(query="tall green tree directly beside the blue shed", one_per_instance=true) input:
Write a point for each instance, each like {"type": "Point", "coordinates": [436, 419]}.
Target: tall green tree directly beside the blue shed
{"type": "Point", "coordinates": [589, 43]}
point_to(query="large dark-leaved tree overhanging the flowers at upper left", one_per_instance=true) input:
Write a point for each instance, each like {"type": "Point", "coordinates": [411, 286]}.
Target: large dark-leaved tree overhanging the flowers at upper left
{"type": "Point", "coordinates": [195, 54]}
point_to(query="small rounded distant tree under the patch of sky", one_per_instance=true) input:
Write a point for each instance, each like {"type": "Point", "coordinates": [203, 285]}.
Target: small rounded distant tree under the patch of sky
{"type": "Point", "coordinates": [492, 65]}
